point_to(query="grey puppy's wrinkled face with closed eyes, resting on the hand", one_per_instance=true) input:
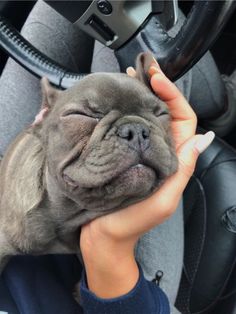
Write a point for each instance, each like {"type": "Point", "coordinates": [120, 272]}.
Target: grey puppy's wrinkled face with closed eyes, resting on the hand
{"type": "Point", "coordinates": [107, 141]}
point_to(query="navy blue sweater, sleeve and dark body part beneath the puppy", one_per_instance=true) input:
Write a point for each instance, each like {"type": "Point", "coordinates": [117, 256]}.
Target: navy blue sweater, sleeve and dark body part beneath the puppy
{"type": "Point", "coordinates": [44, 285]}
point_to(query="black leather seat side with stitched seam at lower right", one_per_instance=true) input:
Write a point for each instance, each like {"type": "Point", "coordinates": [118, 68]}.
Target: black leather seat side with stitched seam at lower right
{"type": "Point", "coordinates": [210, 231]}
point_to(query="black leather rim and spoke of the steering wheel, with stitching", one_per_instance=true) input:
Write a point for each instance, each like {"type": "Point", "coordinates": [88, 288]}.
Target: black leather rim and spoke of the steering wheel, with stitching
{"type": "Point", "coordinates": [175, 55]}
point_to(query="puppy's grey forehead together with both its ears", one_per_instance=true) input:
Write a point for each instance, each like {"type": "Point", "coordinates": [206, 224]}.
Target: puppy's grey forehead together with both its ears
{"type": "Point", "coordinates": [104, 92]}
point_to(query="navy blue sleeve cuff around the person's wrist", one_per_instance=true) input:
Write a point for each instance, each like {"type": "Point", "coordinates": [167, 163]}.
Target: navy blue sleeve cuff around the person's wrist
{"type": "Point", "coordinates": [145, 298]}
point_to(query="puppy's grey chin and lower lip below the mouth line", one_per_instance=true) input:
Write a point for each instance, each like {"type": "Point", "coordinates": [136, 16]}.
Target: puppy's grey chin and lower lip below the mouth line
{"type": "Point", "coordinates": [128, 187]}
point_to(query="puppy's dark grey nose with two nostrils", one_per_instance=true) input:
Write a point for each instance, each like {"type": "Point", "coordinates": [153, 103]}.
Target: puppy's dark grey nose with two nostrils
{"type": "Point", "coordinates": [136, 134]}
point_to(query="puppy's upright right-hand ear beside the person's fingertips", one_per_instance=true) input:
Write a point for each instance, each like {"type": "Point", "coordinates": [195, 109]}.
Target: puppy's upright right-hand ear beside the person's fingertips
{"type": "Point", "coordinates": [143, 62]}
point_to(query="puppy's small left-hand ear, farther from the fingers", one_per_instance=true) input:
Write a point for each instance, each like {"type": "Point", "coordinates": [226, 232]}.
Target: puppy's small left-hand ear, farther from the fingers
{"type": "Point", "coordinates": [49, 94]}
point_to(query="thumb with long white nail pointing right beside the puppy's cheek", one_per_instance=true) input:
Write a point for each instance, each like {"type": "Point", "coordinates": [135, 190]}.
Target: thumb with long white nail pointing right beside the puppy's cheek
{"type": "Point", "coordinates": [188, 152]}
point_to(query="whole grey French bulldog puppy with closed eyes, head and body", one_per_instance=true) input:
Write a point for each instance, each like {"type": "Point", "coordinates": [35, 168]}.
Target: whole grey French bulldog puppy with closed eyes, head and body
{"type": "Point", "coordinates": [99, 146]}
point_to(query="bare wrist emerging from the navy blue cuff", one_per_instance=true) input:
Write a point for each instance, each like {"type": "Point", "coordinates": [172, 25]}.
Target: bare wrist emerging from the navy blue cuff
{"type": "Point", "coordinates": [110, 265]}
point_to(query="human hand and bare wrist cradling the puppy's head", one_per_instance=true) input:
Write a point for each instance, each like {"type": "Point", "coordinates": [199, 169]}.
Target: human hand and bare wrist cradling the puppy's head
{"type": "Point", "coordinates": [109, 241]}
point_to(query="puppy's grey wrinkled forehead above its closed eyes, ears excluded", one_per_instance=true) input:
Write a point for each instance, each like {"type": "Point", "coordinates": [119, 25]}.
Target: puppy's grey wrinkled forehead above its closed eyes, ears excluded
{"type": "Point", "coordinates": [104, 92]}
